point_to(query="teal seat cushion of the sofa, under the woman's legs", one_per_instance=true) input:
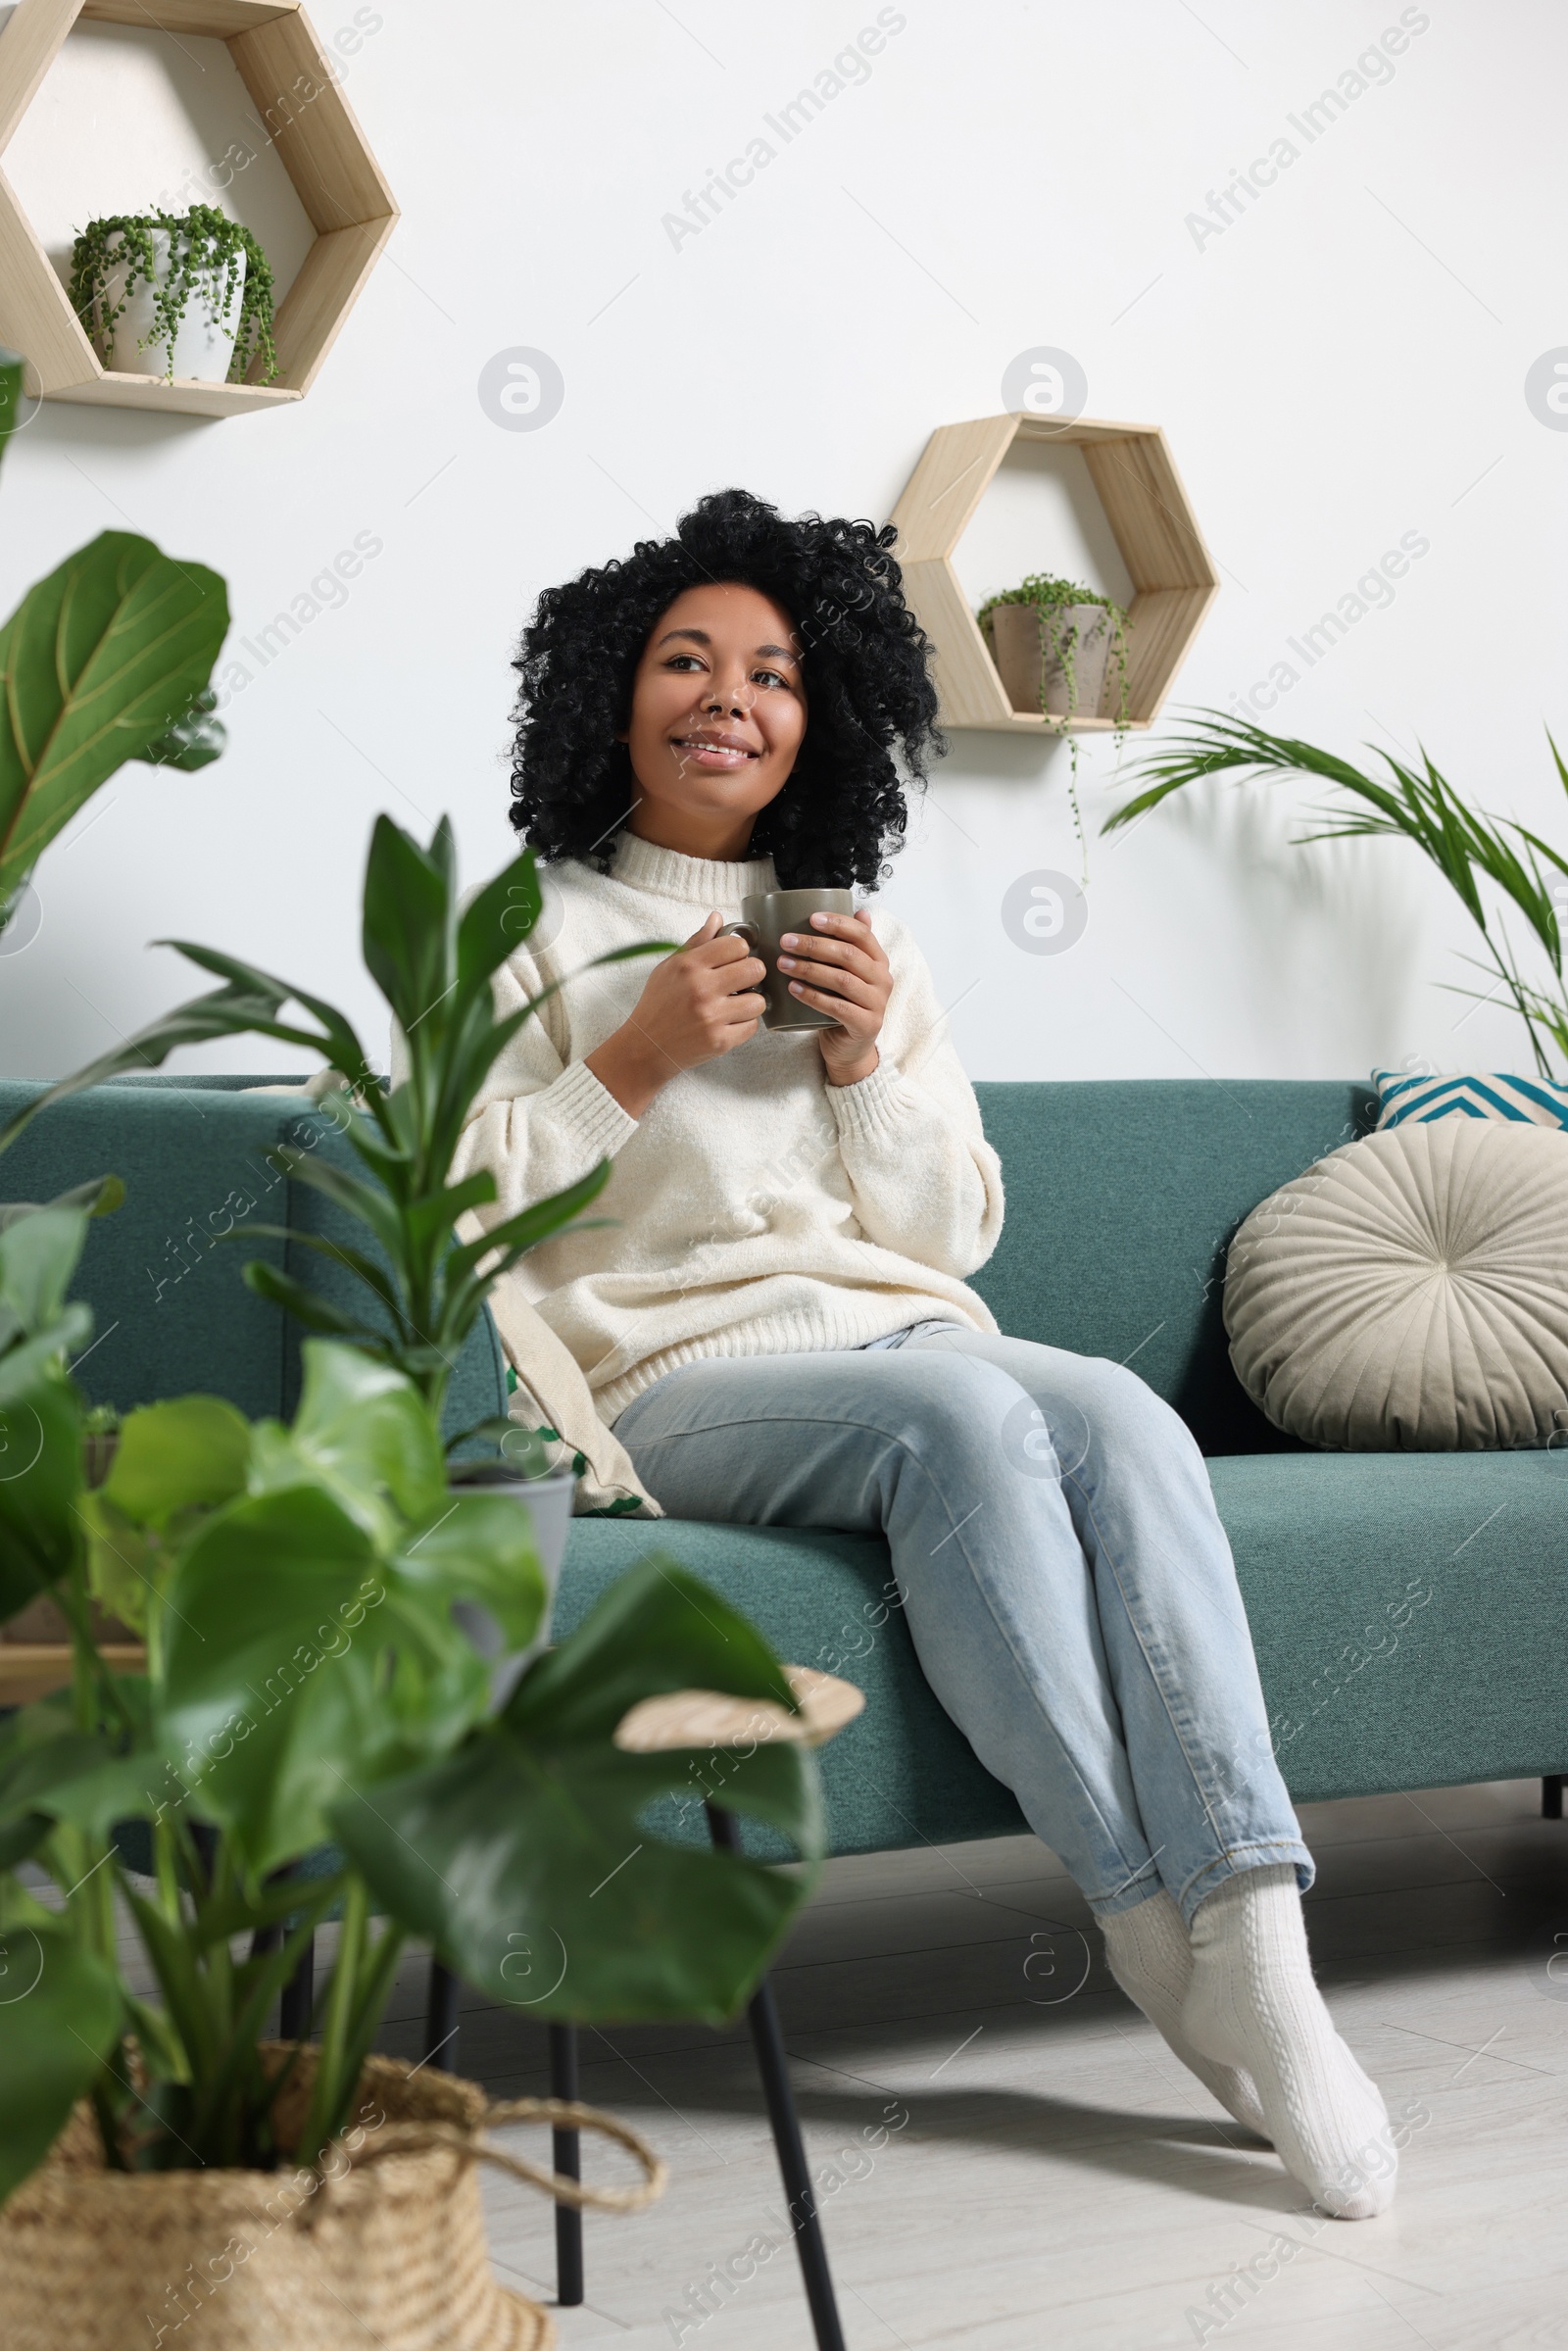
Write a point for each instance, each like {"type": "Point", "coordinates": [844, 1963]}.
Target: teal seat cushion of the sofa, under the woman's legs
{"type": "Point", "coordinates": [1386, 1598]}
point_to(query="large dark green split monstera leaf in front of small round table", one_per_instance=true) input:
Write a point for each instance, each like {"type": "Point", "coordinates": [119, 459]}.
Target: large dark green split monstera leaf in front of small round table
{"type": "Point", "coordinates": [528, 1861]}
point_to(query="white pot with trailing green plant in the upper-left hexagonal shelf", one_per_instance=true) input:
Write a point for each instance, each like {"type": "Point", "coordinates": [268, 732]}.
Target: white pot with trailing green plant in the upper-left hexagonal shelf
{"type": "Point", "coordinates": [175, 295]}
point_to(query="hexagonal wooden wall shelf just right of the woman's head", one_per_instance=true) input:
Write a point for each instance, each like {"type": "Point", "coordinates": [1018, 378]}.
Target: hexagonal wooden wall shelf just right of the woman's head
{"type": "Point", "coordinates": [1148, 514]}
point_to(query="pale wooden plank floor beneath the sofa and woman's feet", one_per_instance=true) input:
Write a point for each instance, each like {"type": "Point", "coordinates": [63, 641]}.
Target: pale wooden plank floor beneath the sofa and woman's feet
{"type": "Point", "coordinates": [1052, 2181]}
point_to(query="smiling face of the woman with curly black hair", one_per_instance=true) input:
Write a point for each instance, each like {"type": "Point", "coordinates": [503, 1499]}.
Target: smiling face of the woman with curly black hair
{"type": "Point", "coordinates": [718, 721]}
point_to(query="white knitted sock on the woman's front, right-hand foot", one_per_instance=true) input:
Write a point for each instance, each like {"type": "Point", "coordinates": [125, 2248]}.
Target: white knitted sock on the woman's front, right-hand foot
{"type": "Point", "coordinates": [1254, 2004]}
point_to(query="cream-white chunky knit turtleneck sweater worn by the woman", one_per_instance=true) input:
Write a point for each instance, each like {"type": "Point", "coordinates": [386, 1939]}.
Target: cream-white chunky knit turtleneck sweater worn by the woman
{"type": "Point", "coordinates": [756, 1207]}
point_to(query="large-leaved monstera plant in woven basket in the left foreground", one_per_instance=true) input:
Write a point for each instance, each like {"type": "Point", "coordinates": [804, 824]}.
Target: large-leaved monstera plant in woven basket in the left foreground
{"type": "Point", "coordinates": [307, 1682]}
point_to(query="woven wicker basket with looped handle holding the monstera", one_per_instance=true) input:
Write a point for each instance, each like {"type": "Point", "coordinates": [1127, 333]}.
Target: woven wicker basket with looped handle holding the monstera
{"type": "Point", "coordinates": [382, 2246]}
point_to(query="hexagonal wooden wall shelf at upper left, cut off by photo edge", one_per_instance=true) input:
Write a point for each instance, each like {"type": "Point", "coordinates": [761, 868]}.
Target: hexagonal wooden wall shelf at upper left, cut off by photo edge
{"type": "Point", "coordinates": [319, 145]}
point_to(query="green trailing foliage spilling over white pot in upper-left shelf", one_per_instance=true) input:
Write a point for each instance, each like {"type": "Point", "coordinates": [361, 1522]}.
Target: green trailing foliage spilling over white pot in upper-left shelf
{"type": "Point", "coordinates": [206, 255]}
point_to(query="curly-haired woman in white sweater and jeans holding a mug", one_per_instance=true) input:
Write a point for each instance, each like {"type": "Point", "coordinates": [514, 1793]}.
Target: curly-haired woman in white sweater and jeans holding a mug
{"type": "Point", "coordinates": [777, 1322]}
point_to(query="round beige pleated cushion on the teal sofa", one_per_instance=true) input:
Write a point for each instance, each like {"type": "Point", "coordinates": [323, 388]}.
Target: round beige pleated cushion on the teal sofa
{"type": "Point", "coordinates": [1412, 1292]}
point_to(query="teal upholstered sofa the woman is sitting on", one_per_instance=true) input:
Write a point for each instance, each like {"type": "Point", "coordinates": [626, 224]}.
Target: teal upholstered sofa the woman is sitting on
{"type": "Point", "coordinates": [1409, 1612]}
